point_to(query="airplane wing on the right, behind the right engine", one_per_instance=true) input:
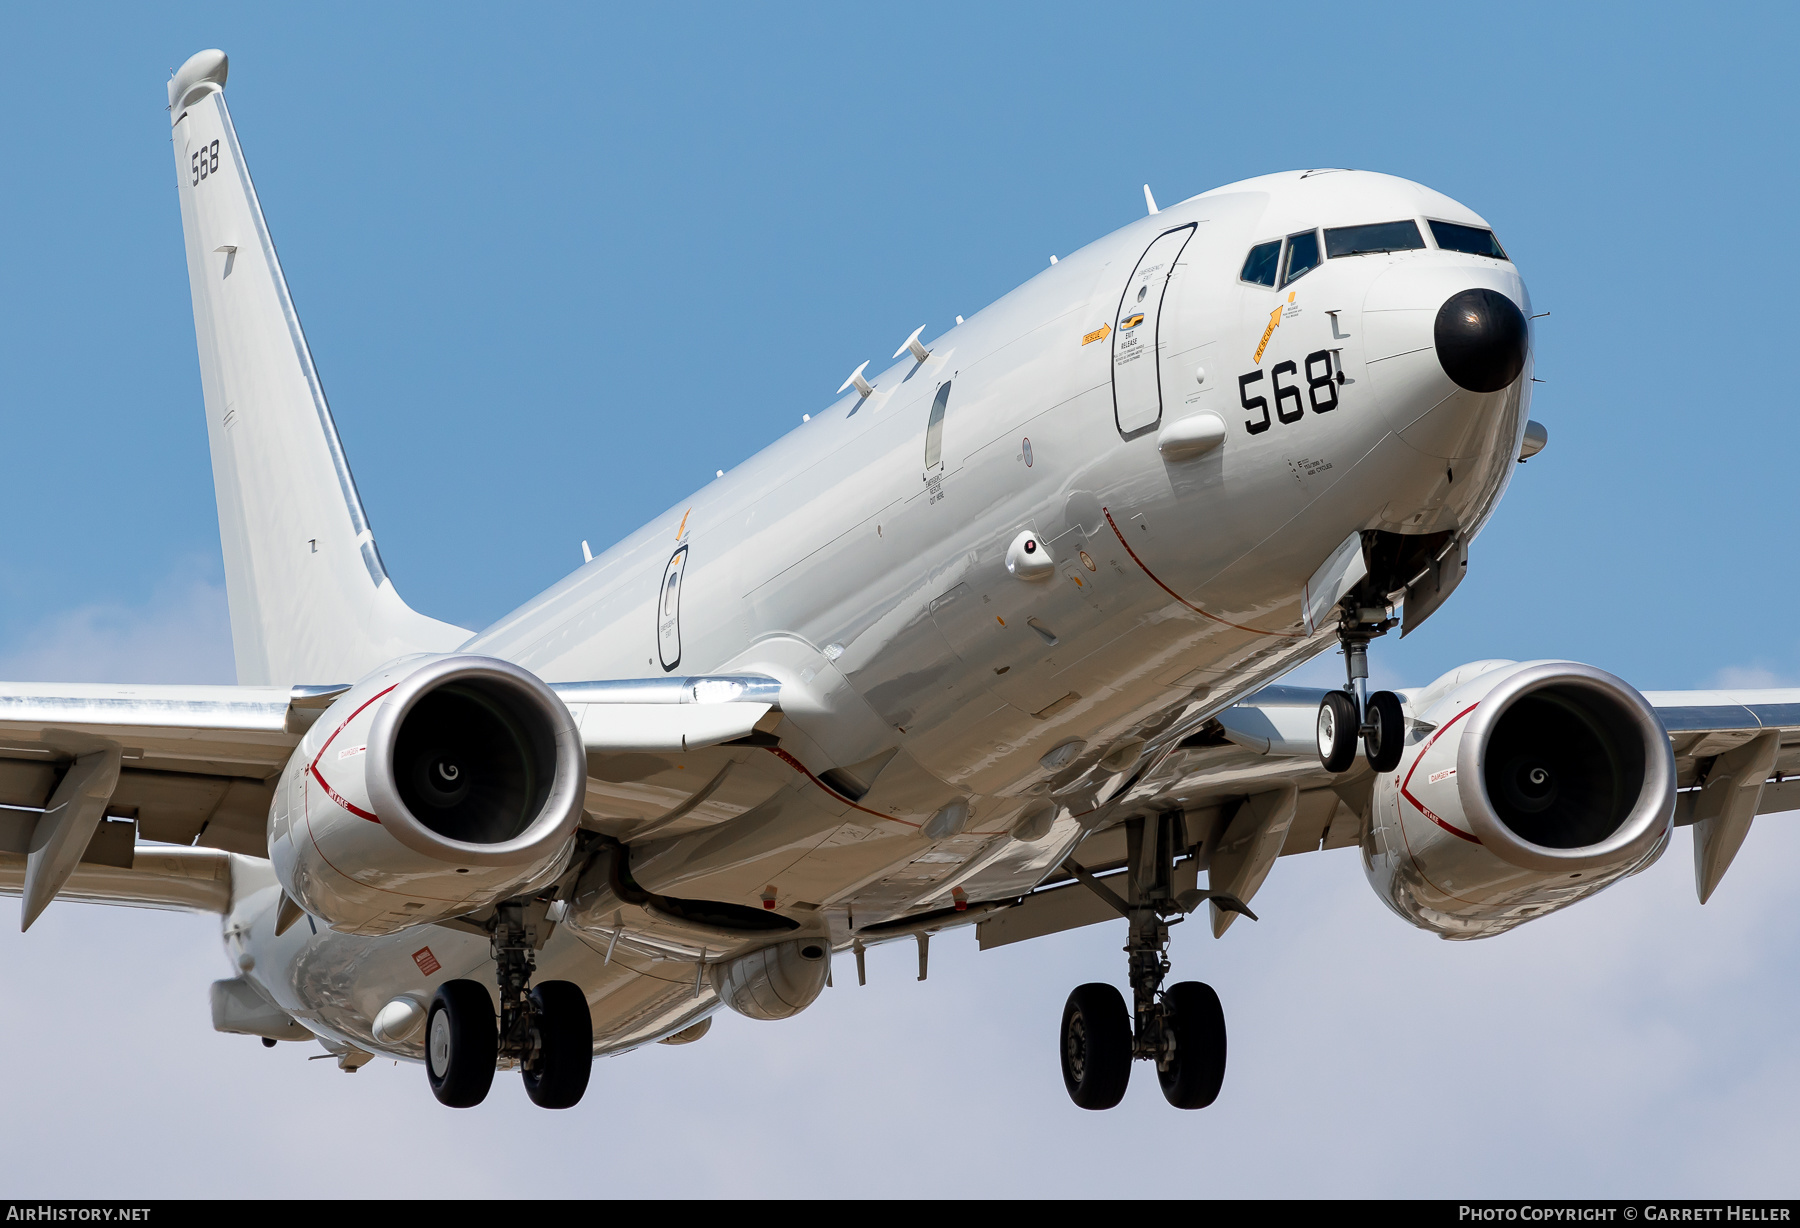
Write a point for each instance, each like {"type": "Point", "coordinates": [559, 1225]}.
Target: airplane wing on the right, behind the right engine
{"type": "Point", "coordinates": [1250, 790]}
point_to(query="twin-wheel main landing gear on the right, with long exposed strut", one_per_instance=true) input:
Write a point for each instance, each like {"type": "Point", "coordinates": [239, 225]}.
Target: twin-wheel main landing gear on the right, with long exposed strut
{"type": "Point", "coordinates": [1182, 1029]}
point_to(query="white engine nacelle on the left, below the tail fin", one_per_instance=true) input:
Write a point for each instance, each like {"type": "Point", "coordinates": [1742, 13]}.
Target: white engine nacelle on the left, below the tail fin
{"type": "Point", "coordinates": [427, 791]}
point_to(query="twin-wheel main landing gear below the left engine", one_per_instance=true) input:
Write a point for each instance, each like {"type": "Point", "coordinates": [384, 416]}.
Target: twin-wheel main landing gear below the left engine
{"type": "Point", "coordinates": [548, 1031]}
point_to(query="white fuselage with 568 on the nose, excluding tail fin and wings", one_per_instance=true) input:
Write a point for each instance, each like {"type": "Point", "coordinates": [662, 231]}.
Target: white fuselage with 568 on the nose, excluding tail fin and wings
{"type": "Point", "coordinates": [874, 563]}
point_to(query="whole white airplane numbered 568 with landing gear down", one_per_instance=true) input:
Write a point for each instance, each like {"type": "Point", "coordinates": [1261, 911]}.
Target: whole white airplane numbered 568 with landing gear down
{"type": "Point", "coordinates": [989, 642]}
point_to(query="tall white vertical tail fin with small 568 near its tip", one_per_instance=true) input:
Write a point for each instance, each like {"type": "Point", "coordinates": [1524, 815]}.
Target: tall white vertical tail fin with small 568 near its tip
{"type": "Point", "coordinates": [310, 600]}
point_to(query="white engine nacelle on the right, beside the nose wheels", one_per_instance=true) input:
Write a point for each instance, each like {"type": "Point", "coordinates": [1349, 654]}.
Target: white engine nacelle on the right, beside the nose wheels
{"type": "Point", "coordinates": [1524, 788]}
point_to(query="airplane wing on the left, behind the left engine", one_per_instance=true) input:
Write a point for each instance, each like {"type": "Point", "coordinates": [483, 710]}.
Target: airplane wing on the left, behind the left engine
{"type": "Point", "coordinates": [87, 772]}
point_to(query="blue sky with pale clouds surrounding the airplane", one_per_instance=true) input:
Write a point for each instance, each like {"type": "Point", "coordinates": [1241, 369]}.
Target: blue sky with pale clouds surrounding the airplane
{"type": "Point", "coordinates": [562, 264]}
